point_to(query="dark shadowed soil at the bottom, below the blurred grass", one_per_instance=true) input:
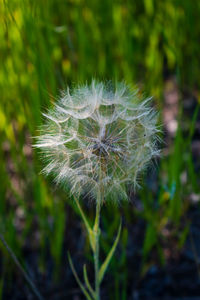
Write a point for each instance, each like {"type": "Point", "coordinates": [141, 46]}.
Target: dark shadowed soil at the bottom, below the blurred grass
{"type": "Point", "coordinates": [179, 278]}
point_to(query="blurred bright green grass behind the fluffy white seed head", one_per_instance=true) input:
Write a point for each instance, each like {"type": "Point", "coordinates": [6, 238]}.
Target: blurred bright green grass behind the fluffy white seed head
{"type": "Point", "coordinates": [47, 45]}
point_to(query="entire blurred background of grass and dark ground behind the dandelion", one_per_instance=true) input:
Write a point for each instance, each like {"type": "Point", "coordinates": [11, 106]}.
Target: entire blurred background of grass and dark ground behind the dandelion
{"type": "Point", "coordinates": [47, 45]}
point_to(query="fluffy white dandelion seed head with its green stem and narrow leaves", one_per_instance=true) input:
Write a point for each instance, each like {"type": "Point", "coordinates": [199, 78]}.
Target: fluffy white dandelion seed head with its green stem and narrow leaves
{"type": "Point", "coordinates": [97, 140]}
